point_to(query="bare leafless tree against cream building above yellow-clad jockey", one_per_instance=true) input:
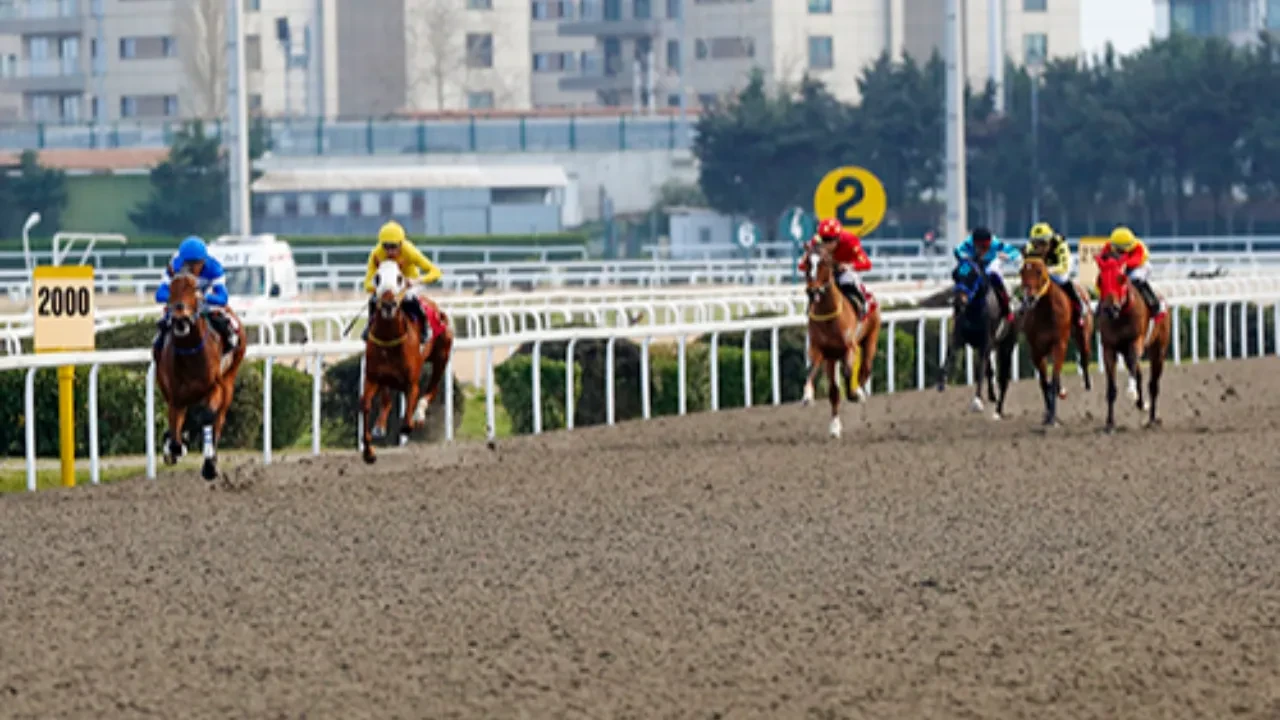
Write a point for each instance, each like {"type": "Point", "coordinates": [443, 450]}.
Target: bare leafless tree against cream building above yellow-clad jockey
{"type": "Point", "coordinates": [437, 52]}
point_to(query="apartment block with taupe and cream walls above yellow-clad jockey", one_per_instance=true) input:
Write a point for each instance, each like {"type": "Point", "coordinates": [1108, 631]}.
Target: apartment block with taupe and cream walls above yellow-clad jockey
{"type": "Point", "coordinates": [431, 56]}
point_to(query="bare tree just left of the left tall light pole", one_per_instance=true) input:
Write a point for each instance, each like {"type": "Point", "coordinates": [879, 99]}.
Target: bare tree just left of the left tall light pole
{"type": "Point", "coordinates": [203, 47]}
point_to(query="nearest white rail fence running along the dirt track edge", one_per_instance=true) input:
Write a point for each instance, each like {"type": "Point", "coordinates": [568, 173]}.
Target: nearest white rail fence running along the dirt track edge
{"type": "Point", "coordinates": [1233, 332]}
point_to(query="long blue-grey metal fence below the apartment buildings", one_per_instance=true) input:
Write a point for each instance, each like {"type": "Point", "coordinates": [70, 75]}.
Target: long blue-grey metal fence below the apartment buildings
{"type": "Point", "coordinates": [373, 136]}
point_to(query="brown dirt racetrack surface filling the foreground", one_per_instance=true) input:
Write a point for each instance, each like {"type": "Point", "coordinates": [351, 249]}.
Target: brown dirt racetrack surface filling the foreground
{"type": "Point", "coordinates": [931, 564]}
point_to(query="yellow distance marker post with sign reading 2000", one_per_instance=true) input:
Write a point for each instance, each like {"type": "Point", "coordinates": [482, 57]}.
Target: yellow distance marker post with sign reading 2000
{"type": "Point", "coordinates": [63, 322]}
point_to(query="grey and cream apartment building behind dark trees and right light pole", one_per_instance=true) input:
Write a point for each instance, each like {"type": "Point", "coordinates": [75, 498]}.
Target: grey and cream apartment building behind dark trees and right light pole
{"type": "Point", "coordinates": [598, 47]}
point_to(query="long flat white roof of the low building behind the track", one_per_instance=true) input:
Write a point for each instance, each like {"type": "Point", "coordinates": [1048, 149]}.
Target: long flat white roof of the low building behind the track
{"type": "Point", "coordinates": [415, 177]}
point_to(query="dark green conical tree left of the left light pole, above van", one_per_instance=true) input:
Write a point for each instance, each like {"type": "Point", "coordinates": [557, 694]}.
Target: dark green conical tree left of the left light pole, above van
{"type": "Point", "coordinates": [189, 190]}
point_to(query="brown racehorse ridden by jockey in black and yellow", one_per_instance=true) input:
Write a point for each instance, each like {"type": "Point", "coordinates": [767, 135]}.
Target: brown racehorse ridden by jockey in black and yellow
{"type": "Point", "coordinates": [1049, 326]}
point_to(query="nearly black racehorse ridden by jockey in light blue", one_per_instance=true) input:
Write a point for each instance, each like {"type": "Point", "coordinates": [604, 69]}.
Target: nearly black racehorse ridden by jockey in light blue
{"type": "Point", "coordinates": [975, 318]}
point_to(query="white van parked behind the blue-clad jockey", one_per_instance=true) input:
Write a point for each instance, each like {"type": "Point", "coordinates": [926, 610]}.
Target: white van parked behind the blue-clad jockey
{"type": "Point", "coordinates": [260, 271]}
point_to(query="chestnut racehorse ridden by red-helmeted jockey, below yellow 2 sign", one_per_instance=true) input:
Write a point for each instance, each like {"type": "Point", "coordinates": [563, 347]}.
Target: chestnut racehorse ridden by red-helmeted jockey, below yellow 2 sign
{"type": "Point", "coordinates": [838, 336]}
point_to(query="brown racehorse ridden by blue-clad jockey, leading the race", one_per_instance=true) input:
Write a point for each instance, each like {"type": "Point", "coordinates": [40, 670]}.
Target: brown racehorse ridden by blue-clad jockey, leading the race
{"type": "Point", "coordinates": [193, 370]}
